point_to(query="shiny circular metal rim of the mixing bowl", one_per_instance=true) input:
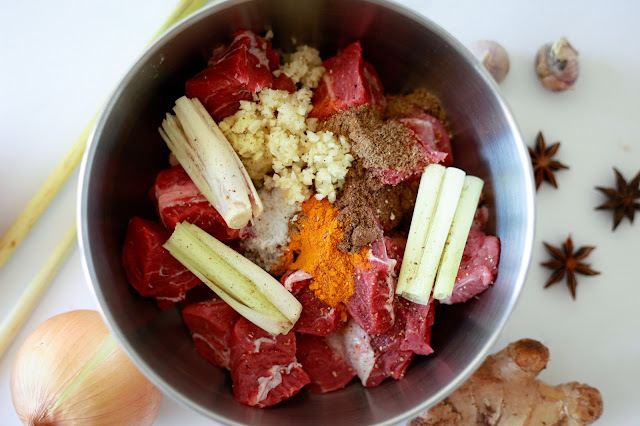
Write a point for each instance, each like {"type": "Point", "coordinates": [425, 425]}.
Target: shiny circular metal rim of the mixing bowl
{"type": "Point", "coordinates": [83, 199]}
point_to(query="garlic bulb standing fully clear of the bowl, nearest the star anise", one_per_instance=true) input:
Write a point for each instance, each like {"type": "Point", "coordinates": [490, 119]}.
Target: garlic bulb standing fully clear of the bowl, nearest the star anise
{"type": "Point", "coordinates": [557, 65]}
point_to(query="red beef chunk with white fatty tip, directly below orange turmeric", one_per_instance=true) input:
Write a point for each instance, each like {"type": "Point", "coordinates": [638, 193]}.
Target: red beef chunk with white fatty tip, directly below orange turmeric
{"type": "Point", "coordinates": [317, 317]}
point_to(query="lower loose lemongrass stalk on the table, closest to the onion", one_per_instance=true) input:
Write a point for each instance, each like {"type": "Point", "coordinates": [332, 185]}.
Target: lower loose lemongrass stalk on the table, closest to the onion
{"type": "Point", "coordinates": [33, 293]}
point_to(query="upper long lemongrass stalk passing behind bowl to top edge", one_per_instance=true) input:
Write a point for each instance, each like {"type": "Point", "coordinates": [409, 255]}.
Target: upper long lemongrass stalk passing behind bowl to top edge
{"type": "Point", "coordinates": [47, 192]}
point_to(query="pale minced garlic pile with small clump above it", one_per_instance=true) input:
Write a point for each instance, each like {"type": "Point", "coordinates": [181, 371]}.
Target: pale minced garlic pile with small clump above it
{"type": "Point", "coordinates": [273, 133]}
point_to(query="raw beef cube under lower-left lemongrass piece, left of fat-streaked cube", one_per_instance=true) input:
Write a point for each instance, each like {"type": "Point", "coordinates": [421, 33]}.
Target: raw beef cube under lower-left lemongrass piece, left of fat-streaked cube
{"type": "Point", "coordinates": [211, 324]}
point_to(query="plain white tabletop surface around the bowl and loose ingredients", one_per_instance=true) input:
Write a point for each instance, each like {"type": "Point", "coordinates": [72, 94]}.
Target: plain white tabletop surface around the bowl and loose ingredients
{"type": "Point", "coordinates": [60, 59]}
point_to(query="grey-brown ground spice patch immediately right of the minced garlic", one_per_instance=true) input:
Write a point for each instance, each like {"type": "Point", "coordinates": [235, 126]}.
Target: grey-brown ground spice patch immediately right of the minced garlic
{"type": "Point", "coordinates": [376, 143]}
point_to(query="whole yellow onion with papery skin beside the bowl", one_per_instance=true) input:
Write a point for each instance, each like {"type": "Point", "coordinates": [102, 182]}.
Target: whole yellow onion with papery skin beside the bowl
{"type": "Point", "coordinates": [71, 371]}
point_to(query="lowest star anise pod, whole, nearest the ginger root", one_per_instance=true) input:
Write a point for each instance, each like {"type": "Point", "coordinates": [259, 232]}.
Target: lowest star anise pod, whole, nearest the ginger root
{"type": "Point", "coordinates": [568, 263]}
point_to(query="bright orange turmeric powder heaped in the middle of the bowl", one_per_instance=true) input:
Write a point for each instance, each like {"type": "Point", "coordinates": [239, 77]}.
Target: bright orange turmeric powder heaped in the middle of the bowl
{"type": "Point", "coordinates": [316, 246]}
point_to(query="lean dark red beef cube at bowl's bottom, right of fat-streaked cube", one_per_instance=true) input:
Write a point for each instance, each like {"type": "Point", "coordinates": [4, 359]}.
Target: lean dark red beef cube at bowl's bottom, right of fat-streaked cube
{"type": "Point", "coordinates": [326, 367]}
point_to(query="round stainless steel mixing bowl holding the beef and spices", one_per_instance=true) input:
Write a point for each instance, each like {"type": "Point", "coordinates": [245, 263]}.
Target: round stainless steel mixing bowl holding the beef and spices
{"type": "Point", "coordinates": [408, 51]}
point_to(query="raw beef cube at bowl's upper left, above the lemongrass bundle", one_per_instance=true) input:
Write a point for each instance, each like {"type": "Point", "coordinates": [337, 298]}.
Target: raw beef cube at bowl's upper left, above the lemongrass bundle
{"type": "Point", "coordinates": [234, 74]}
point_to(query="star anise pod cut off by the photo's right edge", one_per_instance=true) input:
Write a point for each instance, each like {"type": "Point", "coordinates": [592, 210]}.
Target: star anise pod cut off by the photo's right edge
{"type": "Point", "coordinates": [622, 200]}
